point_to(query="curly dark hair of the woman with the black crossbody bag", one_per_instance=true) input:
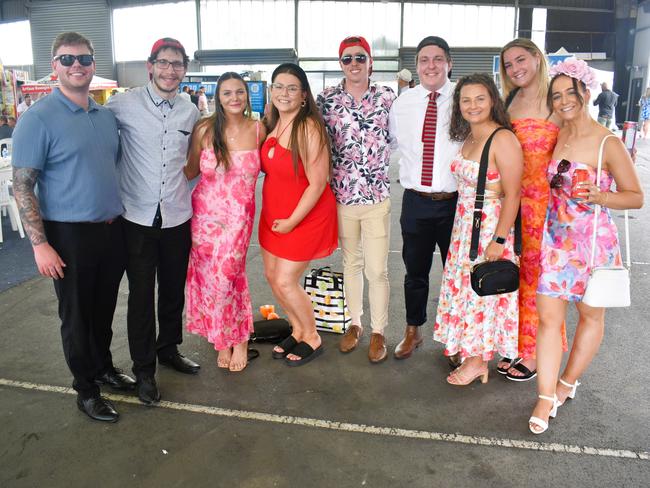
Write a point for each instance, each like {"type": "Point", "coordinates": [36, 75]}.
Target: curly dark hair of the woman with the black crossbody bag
{"type": "Point", "coordinates": [459, 128]}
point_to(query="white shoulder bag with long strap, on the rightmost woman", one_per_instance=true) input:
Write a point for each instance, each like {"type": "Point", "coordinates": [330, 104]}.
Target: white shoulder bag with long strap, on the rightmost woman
{"type": "Point", "coordinates": [607, 286]}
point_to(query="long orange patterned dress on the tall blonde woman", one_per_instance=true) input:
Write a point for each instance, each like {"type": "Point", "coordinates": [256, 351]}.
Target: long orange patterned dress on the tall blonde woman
{"type": "Point", "coordinates": [537, 138]}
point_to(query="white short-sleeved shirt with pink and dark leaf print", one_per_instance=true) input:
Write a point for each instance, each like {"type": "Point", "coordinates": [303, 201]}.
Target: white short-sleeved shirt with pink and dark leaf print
{"type": "Point", "coordinates": [360, 142]}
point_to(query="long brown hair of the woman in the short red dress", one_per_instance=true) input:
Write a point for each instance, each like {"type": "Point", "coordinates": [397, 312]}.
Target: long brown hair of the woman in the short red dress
{"type": "Point", "coordinates": [308, 112]}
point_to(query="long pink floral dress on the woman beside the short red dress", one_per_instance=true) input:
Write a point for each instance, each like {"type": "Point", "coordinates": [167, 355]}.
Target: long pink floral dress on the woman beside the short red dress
{"type": "Point", "coordinates": [218, 302]}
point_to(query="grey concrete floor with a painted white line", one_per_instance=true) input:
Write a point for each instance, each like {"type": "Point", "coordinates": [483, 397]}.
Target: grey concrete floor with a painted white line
{"type": "Point", "coordinates": [338, 421]}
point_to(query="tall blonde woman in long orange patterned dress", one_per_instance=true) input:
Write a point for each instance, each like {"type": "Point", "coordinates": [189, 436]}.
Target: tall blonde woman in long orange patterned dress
{"type": "Point", "coordinates": [524, 70]}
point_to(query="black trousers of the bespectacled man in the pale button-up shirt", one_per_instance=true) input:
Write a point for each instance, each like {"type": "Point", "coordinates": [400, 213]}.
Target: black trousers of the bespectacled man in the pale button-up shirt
{"type": "Point", "coordinates": [162, 254]}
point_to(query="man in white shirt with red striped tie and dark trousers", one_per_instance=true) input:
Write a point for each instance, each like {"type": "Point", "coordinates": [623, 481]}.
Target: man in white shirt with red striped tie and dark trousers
{"type": "Point", "coordinates": [419, 120]}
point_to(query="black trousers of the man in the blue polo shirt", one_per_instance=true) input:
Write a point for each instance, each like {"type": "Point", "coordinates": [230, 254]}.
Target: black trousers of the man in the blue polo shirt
{"type": "Point", "coordinates": [95, 257]}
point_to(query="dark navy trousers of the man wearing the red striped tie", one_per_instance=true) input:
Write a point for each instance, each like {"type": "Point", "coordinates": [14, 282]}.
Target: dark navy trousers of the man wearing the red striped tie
{"type": "Point", "coordinates": [425, 224]}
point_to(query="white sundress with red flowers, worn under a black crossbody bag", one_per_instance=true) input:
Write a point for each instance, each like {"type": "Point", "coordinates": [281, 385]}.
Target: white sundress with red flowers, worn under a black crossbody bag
{"type": "Point", "coordinates": [465, 322]}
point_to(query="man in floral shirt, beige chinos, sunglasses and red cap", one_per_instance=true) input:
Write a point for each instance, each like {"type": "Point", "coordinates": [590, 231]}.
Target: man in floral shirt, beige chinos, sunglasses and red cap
{"type": "Point", "coordinates": [356, 116]}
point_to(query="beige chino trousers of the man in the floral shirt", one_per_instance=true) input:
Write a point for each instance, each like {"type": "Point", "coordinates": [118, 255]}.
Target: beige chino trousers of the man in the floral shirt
{"type": "Point", "coordinates": [364, 233]}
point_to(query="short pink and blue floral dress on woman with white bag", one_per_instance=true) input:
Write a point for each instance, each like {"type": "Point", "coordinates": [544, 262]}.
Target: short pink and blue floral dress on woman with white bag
{"type": "Point", "coordinates": [566, 243]}
